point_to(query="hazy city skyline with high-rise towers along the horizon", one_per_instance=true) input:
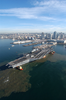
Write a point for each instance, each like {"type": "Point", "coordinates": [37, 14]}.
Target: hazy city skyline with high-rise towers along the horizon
{"type": "Point", "coordinates": [32, 36]}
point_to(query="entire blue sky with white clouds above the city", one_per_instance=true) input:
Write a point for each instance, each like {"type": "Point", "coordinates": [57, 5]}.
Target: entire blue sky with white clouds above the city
{"type": "Point", "coordinates": [32, 16]}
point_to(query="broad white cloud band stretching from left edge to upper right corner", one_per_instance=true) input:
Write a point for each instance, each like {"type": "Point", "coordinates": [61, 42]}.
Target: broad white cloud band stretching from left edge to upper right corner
{"type": "Point", "coordinates": [46, 10]}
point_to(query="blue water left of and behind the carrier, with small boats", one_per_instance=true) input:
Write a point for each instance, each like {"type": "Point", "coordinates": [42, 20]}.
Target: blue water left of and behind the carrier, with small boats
{"type": "Point", "coordinates": [7, 54]}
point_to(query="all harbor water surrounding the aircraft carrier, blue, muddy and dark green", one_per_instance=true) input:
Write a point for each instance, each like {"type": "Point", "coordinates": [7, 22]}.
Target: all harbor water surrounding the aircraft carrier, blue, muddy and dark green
{"type": "Point", "coordinates": [43, 79]}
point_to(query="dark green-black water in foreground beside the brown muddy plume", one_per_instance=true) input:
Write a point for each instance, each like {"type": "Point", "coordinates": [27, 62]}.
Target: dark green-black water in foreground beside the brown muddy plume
{"type": "Point", "coordinates": [46, 84]}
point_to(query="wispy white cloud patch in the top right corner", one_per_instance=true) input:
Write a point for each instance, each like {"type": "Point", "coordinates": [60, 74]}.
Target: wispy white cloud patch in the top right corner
{"type": "Point", "coordinates": [59, 5]}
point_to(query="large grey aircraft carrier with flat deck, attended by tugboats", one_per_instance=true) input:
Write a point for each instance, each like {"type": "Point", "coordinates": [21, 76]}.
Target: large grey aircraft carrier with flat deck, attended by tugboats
{"type": "Point", "coordinates": [35, 54]}
